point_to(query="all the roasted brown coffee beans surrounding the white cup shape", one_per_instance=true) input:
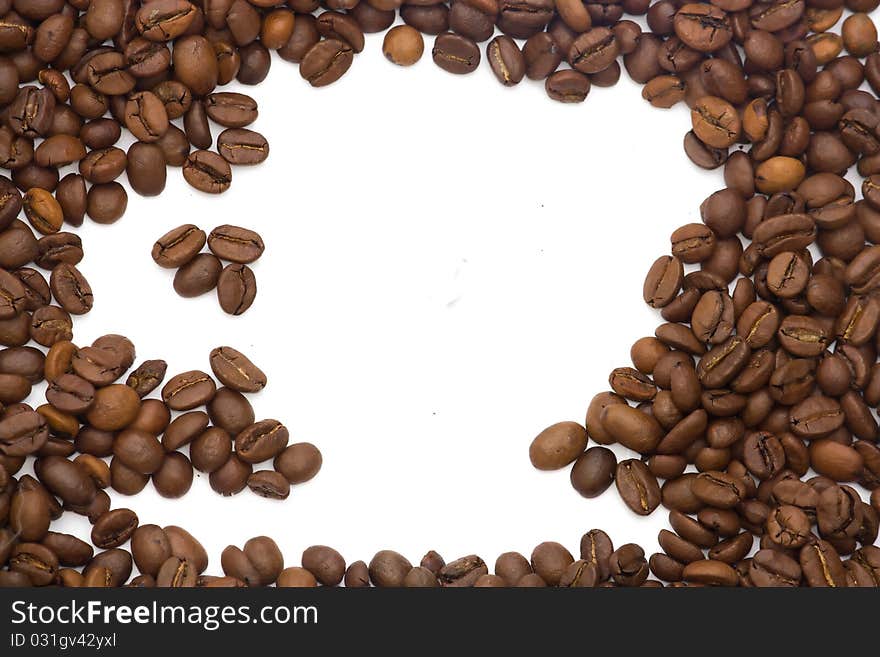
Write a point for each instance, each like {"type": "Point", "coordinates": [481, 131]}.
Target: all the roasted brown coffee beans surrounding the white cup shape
{"type": "Point", "coordinates": [750, 414]}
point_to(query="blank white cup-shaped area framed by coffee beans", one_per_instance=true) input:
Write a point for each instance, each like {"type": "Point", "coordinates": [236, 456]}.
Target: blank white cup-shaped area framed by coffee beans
{"type": "Point", "coordinates": [451, 266]}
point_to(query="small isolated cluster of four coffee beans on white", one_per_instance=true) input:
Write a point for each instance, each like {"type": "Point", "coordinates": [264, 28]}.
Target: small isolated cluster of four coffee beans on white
{"type": "Point", "coordinates": [198, 273]}
